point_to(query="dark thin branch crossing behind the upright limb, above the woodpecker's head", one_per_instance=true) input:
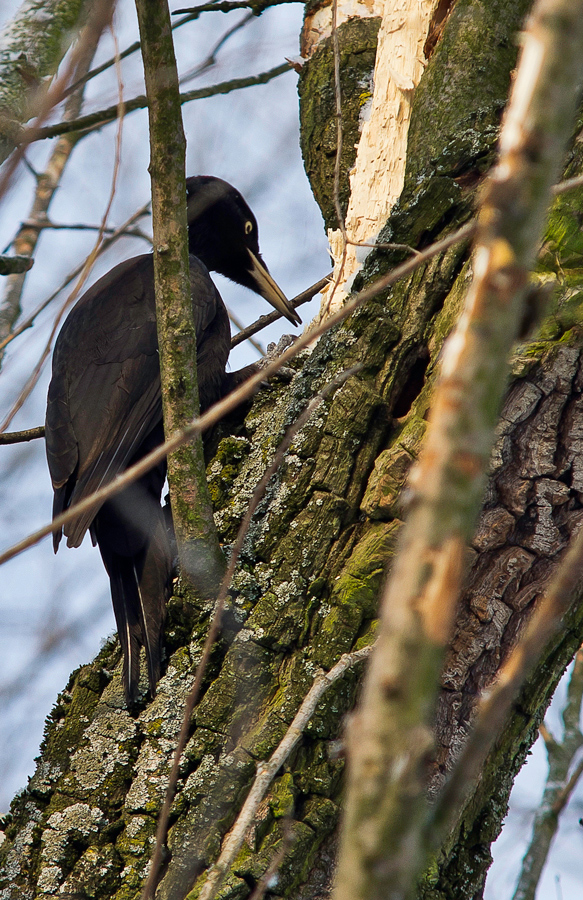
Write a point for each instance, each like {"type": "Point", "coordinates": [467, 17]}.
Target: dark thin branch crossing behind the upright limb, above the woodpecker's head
{"type": "Point", "coordinates": [98, 119]}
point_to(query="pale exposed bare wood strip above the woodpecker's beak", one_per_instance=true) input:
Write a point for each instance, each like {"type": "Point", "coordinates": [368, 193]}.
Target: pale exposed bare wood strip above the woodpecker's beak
{"type": "Point", "coordinates": [377, 178]}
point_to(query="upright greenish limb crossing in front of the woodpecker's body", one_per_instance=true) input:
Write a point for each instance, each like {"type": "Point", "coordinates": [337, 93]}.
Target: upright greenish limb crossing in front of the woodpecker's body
{"type": "Point", "coordinates": [200, 555]}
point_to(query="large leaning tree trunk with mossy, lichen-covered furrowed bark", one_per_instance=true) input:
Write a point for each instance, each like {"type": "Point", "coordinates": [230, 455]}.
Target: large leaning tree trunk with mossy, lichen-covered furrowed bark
{"type": "Point", "coordinates": [308, 584]}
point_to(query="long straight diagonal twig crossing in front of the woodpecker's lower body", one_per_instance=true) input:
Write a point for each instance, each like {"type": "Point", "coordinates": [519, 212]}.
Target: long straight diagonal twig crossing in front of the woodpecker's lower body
{"type": "Point", "coordinates": [246, 390]}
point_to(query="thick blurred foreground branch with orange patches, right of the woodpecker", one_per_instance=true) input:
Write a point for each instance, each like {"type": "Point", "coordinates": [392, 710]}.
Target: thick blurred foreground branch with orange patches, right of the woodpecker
{"type": "Point", "coordinates": [383, 851]}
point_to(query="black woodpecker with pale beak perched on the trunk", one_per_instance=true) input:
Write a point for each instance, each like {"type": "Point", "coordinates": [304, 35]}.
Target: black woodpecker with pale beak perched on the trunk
{"type": "Point", "coordinates": [104, 408]}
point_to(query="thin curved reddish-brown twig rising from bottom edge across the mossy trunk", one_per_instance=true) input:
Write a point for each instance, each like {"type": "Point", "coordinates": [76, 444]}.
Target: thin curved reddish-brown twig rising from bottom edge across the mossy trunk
{"type": "Point", "coordinates": [213, 632]}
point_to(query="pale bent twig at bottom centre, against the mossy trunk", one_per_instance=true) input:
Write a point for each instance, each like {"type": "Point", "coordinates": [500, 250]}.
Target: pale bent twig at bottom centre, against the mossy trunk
{"type": "Point", "coordinates": [266, 772]}
